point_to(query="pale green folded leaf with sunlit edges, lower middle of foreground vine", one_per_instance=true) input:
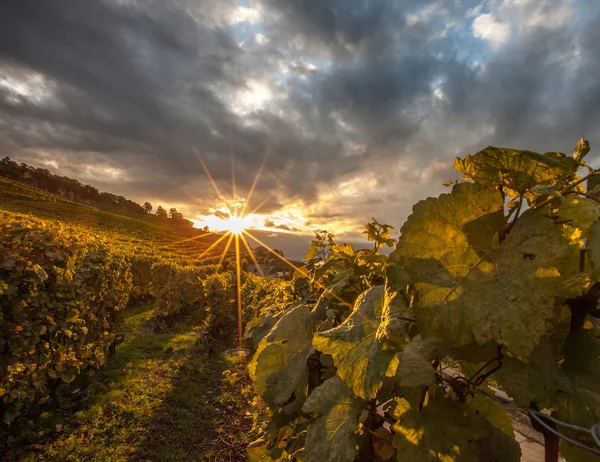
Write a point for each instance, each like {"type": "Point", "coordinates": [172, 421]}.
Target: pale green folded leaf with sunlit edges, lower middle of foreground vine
{"type": "Point", "coordinates": [353, 345]}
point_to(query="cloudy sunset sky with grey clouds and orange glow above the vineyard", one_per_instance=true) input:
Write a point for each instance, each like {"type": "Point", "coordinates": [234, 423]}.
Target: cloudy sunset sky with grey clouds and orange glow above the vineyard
{"type": "Point", "coordinates": [354, 108]}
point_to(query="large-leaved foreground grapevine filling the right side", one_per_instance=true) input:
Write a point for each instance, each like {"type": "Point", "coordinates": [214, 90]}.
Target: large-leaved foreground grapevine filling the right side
{"type": "Point", "coordinates": [497, 279]}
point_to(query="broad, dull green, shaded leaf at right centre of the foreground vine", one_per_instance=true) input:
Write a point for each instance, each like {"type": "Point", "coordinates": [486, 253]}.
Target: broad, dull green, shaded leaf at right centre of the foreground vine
{"type": "Point", "coordinates": [515, 301]}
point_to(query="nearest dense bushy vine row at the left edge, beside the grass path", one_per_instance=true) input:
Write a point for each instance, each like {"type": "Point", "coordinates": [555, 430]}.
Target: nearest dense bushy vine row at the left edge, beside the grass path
{"type": "Point", "coordinates": [61, 295]}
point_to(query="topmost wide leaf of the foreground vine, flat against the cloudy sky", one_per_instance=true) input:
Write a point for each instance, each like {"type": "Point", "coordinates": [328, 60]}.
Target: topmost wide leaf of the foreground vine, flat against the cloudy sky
{"type": "Point", "coordinates": [516, 171]}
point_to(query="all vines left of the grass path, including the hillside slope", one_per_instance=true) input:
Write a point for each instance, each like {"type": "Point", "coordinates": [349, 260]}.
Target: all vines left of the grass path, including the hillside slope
{"type": "Point", "coordinates": [65, 281]}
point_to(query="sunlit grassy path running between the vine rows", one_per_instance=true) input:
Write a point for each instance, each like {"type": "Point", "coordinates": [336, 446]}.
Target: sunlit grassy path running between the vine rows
{"type": "Point", "coordinates": [160, 398]}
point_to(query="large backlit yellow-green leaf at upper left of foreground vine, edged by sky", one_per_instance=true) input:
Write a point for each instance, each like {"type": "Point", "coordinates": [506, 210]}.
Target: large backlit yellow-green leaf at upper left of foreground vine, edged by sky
{"type": "Point", "coordinates": [440, 244]}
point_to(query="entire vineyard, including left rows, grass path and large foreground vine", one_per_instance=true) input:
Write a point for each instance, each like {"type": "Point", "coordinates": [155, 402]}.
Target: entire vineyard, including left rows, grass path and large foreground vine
{"type": "Point", "coordinates": [489, 300]}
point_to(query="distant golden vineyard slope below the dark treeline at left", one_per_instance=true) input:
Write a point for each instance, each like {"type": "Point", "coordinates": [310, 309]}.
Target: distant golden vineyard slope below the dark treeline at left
{"type": "Point", "coordinates": [146, 231]}
